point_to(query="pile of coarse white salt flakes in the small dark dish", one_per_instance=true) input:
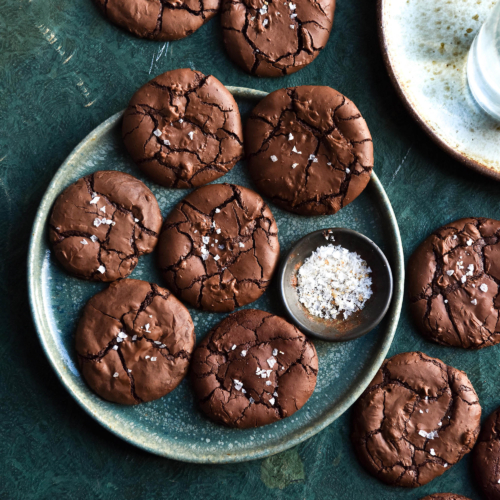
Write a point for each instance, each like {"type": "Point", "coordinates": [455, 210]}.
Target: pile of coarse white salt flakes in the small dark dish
{"type": "Point", "coordinates": [334, 280]}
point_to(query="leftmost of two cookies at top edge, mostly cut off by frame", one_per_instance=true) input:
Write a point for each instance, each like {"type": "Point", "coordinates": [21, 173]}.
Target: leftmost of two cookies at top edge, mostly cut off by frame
{"type": "Point", "coordinates": [159, 19]}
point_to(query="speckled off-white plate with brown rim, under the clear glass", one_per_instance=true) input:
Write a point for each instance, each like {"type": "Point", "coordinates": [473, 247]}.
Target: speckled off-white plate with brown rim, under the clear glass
{"type": "Point", "coordinates": [425, 45]}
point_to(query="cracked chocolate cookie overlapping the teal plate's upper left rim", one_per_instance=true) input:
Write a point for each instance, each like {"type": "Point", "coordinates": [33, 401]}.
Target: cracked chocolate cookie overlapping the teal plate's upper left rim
{"type": "Point", "coordinates": [183, 129]}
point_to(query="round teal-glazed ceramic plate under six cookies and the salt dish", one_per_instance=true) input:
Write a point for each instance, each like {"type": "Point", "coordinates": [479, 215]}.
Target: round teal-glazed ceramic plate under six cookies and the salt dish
{"type": "Point", "coordinates": [173, 426]}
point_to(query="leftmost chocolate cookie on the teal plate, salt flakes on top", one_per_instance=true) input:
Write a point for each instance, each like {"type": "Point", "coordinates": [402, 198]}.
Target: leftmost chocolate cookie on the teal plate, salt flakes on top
{"type": "Point", "coordinates": [102, 224]}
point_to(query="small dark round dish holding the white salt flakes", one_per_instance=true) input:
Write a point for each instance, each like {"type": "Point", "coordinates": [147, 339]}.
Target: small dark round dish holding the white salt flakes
{"type": "Point", "coordinates": [358, 323]}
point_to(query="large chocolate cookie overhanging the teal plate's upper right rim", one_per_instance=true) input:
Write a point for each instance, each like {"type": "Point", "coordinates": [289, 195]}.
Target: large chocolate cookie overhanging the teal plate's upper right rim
{"type": "Point", "coordinates": [309, 149]}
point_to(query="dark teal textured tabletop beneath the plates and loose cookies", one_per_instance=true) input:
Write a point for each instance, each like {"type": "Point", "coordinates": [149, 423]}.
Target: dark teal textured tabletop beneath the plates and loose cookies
{"type": "Point", "coordinates": [50, 448]}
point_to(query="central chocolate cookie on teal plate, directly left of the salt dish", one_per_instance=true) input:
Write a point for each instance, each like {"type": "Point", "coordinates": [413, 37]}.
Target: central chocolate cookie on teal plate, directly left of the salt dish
{"type": "Point", "coordinates": [219, 247]}
